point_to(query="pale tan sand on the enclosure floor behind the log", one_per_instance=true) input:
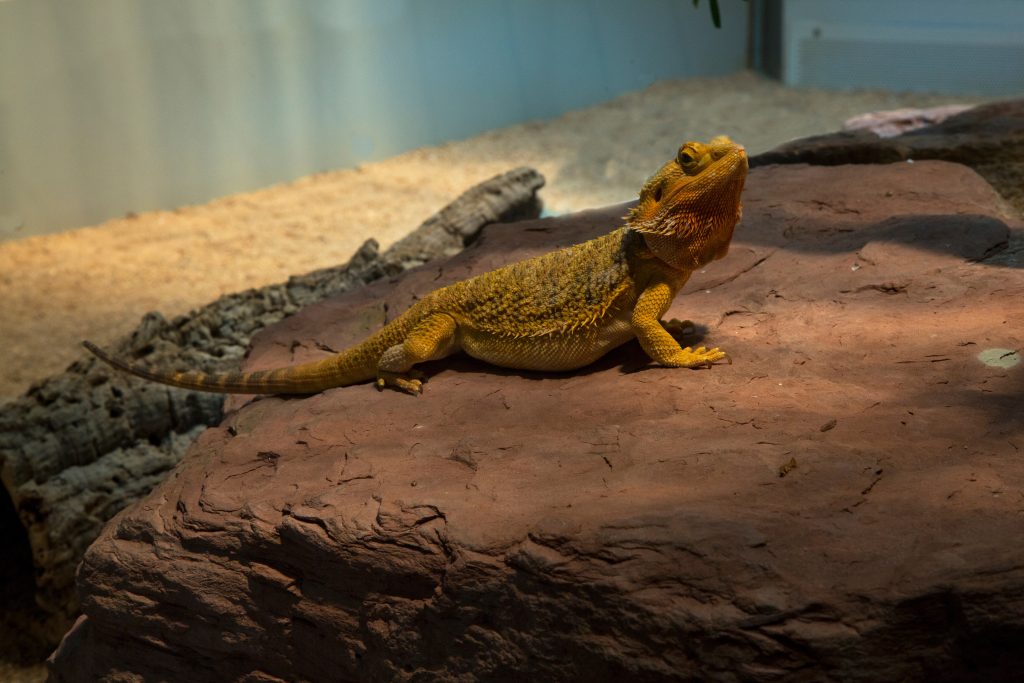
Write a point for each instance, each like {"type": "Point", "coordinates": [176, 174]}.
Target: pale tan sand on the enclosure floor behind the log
{"type": "Point", "coordinates": [96, 283]}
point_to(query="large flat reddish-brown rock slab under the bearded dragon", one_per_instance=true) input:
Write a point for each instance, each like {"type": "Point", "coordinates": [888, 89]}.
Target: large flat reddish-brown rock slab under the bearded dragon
{"type": "Point", "coordinates": [844, 502]}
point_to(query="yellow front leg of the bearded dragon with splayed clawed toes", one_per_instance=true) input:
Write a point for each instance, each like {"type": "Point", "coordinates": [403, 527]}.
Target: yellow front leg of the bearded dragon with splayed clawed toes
{"type": "Point", "coordinates": [657, 341]}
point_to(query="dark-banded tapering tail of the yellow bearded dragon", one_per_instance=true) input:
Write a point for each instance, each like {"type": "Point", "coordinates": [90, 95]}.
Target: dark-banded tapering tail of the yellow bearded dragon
{"type": "Point", "coordinates": [305, 379]}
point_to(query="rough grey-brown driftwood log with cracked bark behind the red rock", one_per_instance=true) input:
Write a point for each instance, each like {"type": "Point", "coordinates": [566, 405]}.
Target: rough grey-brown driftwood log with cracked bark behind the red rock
{"type": "Point", "coordinates": [81, 446]}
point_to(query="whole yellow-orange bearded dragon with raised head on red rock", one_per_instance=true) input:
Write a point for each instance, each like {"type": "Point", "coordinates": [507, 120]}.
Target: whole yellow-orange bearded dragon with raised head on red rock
{"type": "Point", "coordinates": [559, 312]}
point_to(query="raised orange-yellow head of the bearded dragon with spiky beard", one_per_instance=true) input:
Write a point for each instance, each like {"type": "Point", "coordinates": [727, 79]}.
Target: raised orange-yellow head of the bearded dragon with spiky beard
{"type": "Point", "coordinates": [689, 209]}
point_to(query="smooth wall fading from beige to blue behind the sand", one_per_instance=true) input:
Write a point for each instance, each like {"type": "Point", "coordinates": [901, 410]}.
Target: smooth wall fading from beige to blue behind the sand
{"type": "Point", "coordinates": [115, 106]}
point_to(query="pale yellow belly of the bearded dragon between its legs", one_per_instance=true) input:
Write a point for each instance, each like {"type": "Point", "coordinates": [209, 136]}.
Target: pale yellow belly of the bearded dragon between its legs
{"type": "Point", "coordinates": [548, 353]}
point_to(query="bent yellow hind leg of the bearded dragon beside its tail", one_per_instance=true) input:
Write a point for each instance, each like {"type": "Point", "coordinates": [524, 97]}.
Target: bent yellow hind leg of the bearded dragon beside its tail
{"type": "Point", "coordinates": [433, 338]}
